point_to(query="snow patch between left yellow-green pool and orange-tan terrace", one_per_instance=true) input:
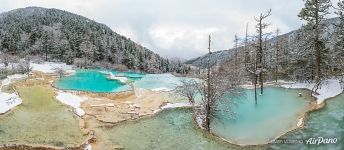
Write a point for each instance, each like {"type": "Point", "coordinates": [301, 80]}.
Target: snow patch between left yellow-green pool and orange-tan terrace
{"type": "Point", "coordinates": [71, 100]}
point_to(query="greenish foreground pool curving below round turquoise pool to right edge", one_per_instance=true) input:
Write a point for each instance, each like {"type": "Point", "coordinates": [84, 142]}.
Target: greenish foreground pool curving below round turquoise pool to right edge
{"type": "Point", "coordinates": [173, 129]}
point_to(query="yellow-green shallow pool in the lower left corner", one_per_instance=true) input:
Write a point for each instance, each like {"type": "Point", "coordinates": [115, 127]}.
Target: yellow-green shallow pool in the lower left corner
{"type": "Point", "coordinates": [40, 120]}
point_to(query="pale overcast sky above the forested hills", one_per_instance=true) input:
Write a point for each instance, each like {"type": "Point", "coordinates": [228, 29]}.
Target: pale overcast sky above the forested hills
{"type": "Point", "coordinates": [177, 28]}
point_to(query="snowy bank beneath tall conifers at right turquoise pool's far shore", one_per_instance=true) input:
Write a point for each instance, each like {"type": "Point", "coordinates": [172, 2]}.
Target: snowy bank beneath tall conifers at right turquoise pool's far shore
{"type": "Point", "coordinates": [329, 88]}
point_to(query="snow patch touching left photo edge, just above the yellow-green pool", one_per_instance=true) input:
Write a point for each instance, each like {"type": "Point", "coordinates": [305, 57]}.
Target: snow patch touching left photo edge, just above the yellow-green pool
{"type": "Point", "coordinates": [8, 101]}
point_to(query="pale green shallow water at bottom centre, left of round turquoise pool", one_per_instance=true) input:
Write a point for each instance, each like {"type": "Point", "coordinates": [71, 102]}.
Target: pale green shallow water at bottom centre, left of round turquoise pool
{"type": "Point", "coordinates": [169, 130]}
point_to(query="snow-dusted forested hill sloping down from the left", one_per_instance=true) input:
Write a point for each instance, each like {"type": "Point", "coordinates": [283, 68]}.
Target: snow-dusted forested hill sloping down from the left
{"type": "Point", "coordinates": [57, 35]}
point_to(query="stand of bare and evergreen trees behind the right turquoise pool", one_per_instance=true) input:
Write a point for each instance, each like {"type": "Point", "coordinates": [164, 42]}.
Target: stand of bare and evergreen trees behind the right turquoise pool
{"type": "Point", "coordinates": [313, 53]}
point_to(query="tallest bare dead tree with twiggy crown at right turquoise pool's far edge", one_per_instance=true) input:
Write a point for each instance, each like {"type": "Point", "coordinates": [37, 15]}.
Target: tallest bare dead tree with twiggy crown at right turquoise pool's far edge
{"type": "Point", "coordinates": [259, 28]}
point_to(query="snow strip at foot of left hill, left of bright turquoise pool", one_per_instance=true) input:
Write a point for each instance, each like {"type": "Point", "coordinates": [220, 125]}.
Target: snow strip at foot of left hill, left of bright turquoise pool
{"type": "Point", "coordinates": [49, 67]}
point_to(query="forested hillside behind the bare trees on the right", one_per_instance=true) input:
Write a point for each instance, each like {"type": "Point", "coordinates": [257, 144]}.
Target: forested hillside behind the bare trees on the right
{"type": "Point", "coordinates": [288, 55]}
